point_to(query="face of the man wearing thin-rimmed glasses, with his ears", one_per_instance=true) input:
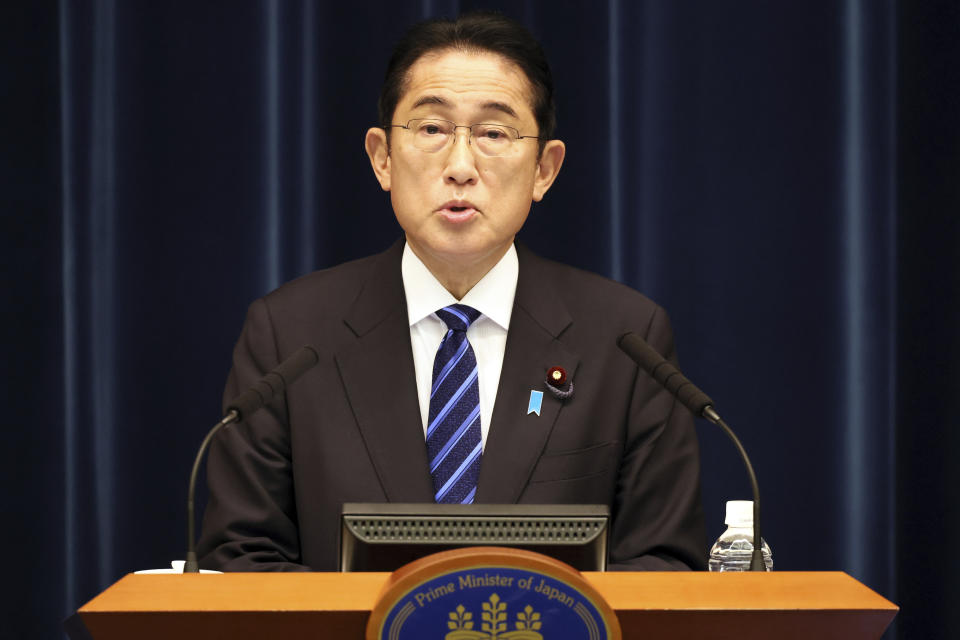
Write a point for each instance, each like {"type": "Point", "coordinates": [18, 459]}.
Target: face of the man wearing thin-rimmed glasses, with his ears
{"type": "Point", "coordinates": [458, 207]}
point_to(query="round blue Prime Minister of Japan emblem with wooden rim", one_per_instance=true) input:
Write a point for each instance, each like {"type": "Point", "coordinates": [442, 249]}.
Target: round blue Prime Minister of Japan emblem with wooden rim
{"type": "Point", "coordinates": [490, 593]}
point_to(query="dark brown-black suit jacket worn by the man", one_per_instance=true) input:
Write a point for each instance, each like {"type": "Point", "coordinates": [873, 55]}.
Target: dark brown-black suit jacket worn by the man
{"type": "Point", "coordinates": [350, 429]}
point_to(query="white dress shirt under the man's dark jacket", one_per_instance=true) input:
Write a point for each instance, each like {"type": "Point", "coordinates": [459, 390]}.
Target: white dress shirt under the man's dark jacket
{"type": "Point", "coordinates": [492, 297]}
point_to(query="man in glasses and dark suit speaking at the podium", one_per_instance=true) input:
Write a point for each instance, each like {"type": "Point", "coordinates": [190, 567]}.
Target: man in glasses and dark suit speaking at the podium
{"type": "Point", "coordinates": [464, 147]}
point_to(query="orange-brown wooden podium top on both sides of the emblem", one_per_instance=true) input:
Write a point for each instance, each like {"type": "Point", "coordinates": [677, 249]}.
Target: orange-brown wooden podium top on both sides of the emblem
{"type": "Point", "coordinates": [740, 606]}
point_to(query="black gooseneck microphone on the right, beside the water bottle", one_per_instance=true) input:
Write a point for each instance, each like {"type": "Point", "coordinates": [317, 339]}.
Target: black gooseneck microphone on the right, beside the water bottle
{"type": "Point", "coordinates": [701, 405]}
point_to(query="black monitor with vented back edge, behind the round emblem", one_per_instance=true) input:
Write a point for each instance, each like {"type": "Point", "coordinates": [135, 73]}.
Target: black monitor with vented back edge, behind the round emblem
{"type": "Point", "coordinates": [386, 536]}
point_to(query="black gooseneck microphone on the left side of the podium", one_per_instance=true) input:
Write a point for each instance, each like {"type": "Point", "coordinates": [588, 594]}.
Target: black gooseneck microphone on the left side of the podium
{"type": "Point", "coordinates": [244, 405]}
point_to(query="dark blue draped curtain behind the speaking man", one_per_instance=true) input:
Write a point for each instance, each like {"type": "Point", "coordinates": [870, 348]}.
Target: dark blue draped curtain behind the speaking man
{"type": "Point", "coordinates": [781, 176]}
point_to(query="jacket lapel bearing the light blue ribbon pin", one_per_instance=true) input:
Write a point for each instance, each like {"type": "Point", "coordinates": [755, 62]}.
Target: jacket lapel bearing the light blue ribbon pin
{"type": "Point", "coordinates": [516, 439]}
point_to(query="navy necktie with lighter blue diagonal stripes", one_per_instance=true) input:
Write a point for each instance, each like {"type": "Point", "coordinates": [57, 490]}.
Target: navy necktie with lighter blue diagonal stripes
{"type": "Point", "coordinates": [453, 428]}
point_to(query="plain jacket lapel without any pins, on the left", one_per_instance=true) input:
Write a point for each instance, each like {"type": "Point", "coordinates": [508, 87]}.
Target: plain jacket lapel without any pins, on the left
{"type": "Point", "coordinates": [378, 375]}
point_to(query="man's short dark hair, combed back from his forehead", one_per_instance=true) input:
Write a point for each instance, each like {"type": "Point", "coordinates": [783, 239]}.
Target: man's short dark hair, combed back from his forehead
{"type": "Point", "coordinates": [473, 32]}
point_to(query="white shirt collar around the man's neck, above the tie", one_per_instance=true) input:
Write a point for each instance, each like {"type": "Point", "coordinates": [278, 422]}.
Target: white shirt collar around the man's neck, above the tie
{"type": "Point", "coordinates": [492, 296]}
